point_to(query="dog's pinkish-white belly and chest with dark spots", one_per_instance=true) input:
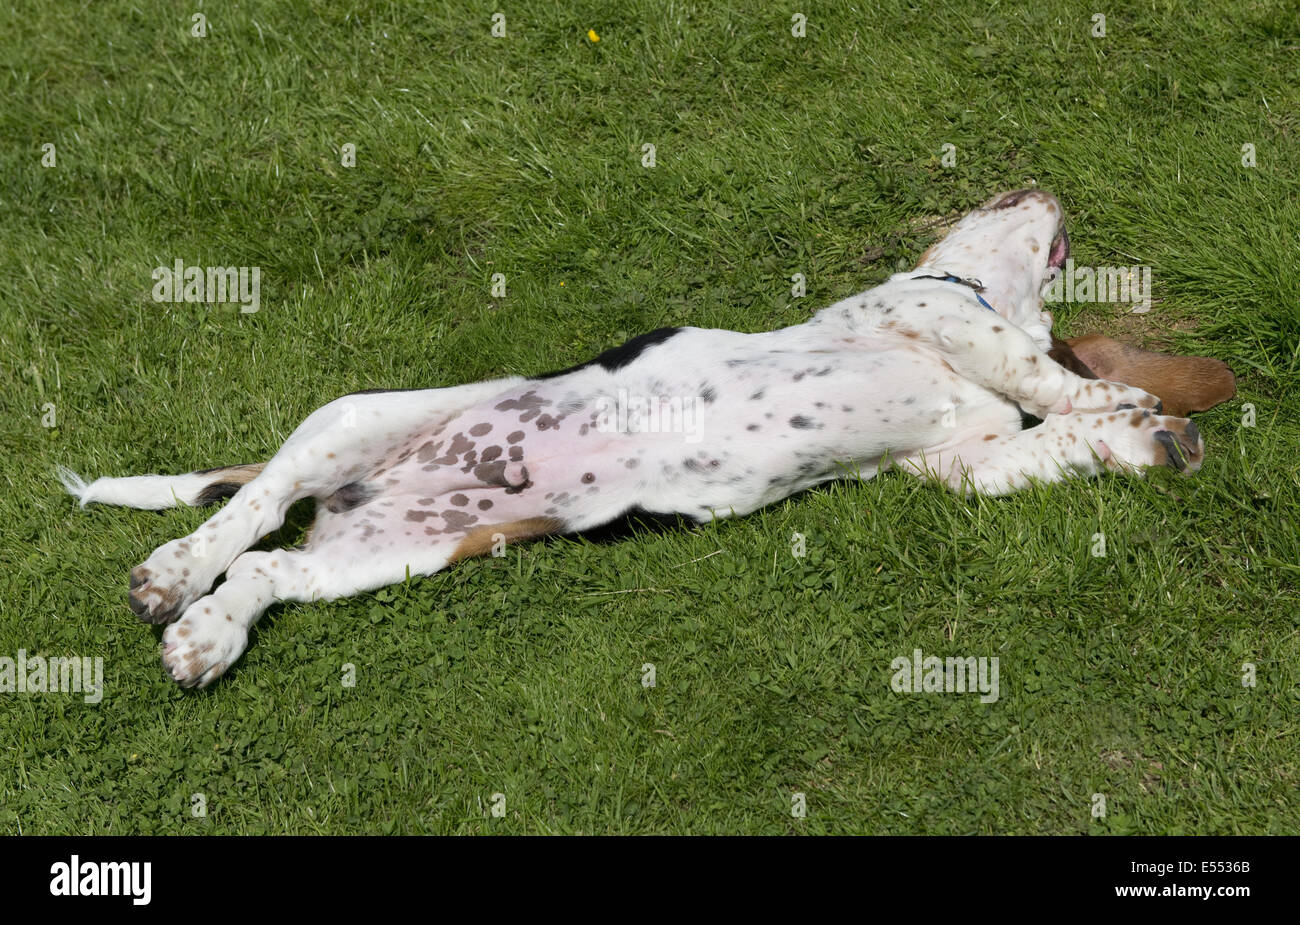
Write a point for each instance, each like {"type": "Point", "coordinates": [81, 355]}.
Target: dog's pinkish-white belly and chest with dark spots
{"type": "Point", "coordinates": [718, 427]}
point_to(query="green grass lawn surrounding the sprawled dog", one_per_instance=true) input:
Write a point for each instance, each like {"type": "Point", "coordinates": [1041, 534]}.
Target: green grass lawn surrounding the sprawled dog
{"type": "Point", "coordinates": [522, 676]}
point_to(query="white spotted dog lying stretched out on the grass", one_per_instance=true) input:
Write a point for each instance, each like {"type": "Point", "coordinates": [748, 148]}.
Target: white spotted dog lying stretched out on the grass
{"type": "Point", "coordinates": [935, 374]}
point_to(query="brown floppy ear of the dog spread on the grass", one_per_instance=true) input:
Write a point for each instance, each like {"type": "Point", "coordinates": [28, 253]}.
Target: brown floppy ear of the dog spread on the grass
{"type": "Point", "coordinates": [1184, 384]}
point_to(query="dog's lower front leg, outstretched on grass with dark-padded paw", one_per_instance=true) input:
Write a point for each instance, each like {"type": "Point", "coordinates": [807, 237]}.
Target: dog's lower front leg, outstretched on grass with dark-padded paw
{"type": "Point", "coordinates": [1064, 446]}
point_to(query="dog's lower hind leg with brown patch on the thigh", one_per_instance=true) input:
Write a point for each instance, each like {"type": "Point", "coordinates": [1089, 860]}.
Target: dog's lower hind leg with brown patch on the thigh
{"type": "Point", "coordinates": [214, 632]}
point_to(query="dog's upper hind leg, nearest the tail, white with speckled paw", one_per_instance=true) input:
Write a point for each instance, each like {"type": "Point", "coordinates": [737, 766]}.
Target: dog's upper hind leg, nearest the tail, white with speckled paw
{"type": "Point", "coordinates": [335, 448]}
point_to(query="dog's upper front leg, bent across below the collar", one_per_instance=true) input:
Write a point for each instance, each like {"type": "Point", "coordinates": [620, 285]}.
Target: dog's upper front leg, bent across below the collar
{"type": "Point", "coordinates": [993, 353]}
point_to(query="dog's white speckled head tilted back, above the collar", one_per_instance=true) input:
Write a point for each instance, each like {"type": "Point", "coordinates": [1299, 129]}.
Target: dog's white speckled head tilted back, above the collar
{"type": "Point", "coordinates": [1013, 247]}
